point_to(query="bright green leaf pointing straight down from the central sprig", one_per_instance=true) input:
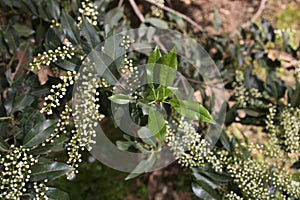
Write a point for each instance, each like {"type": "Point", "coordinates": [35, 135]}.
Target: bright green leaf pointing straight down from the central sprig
{"type": "Point", "coordinates": [157, 124]}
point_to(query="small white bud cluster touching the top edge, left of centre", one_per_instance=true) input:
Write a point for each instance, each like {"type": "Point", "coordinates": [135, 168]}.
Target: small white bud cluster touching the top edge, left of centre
{"type": "Point", "coordinates": [90, 11]}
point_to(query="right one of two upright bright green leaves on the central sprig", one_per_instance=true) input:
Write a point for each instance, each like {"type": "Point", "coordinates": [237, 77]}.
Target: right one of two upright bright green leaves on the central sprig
{"type": "Point", "coordinates": [168, 69]}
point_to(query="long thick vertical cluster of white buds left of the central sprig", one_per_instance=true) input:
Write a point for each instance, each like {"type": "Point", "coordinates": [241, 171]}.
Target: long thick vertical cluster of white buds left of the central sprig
{"type": "Point", "coordinates": [86, 113]}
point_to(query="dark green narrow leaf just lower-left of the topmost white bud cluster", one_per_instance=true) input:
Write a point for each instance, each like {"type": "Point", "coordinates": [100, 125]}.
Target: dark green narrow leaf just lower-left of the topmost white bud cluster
{"type": "Point", "coordinates": [70, 28]}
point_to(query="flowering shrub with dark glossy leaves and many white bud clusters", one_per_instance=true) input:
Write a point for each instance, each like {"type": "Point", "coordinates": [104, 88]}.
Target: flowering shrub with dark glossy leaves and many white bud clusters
{"type": "Point", "coordinates": [45, 127]}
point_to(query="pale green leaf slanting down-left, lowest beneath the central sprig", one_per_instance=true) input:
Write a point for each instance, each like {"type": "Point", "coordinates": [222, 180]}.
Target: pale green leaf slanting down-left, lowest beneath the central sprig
{"type": "Point", "coordinates": [143, 166]}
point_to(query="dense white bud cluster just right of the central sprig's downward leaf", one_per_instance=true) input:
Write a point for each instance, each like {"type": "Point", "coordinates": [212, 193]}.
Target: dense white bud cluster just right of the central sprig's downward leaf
{"type": "Point", "coordinates": [190, 149]}
